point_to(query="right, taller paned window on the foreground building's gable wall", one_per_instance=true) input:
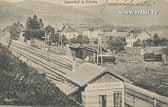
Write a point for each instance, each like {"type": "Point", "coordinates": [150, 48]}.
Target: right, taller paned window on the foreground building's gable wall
{"type": "Point", "coordinates": [117, 99]}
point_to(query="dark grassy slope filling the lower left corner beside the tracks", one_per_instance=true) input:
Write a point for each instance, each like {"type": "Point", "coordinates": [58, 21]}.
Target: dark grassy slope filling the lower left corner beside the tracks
{"type": "Point", "coordinates": [23, 86]}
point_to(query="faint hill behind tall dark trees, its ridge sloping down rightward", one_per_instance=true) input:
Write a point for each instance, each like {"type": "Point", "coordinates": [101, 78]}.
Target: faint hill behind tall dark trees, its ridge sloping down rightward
{"type": "Point", "coordinates": [51, 13]}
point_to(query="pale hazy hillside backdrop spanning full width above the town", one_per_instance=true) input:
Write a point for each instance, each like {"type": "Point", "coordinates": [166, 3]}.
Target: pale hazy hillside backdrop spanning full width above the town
{"type": "Point", "coordinates": [56, 13]}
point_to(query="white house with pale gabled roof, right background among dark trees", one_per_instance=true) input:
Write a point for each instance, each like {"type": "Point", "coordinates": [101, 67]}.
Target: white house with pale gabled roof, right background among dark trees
{"type": "Point", "coordinates": [134, 36]}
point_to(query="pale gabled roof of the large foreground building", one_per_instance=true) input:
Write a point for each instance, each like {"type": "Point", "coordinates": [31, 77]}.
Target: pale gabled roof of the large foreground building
{"type": "Point", "coordinates": [88, 72]}
